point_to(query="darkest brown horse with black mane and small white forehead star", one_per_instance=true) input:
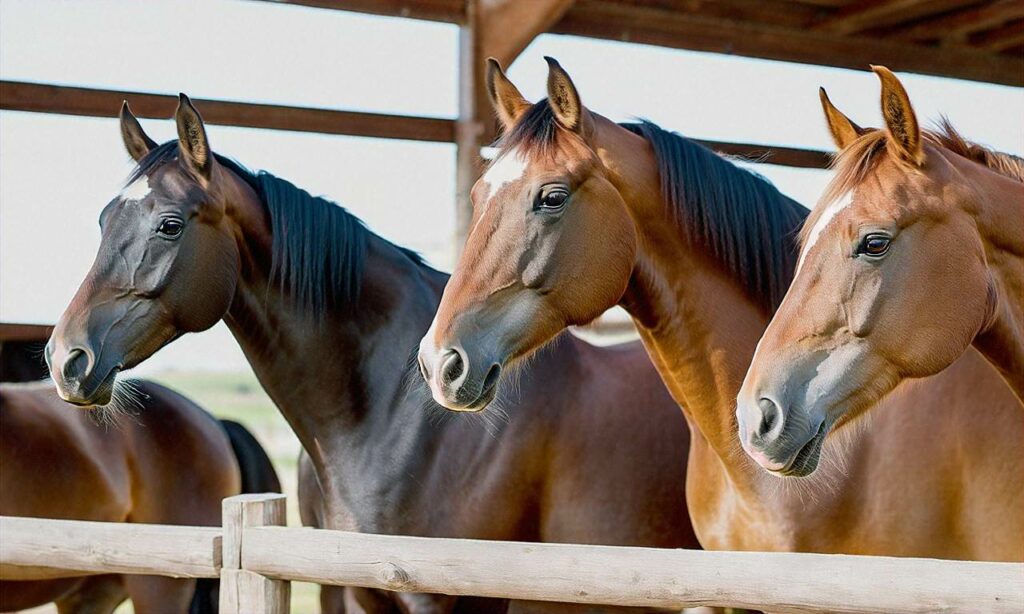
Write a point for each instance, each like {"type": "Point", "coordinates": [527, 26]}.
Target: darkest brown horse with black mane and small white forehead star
{"type": "Point", "coordinates": [329, 316]}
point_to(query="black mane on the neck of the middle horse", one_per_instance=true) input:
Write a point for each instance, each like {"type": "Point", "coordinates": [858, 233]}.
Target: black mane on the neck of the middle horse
{"type": "Point", "coordinates": [749, 226]}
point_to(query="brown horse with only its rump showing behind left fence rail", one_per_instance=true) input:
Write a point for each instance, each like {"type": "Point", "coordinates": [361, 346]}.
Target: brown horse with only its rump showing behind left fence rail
{"type": "Point", "coordinates": [170, 463]}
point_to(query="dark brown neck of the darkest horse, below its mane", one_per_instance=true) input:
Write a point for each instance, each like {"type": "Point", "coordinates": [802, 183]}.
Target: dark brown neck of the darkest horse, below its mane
{"type": "Point", "coordinates": [337, 378]}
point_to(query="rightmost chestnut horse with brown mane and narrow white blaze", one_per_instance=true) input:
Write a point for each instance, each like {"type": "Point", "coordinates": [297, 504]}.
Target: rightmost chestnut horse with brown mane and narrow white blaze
{"type": "Point", "coordinates": [915, 253]}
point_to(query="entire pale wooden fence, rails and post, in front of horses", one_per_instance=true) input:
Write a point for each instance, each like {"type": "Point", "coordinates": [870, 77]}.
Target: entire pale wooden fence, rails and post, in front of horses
{"type": "Point", "coordinates": [257, 557]}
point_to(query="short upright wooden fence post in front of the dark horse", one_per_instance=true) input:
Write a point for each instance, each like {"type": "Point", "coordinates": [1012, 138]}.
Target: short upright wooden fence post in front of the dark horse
{"type": "Point", "coordinates": [244, 592]}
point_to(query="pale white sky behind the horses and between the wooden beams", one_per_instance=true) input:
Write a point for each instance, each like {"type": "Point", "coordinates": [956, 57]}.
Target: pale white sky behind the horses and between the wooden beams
{"type": "Point", "coordinates": [58, 172]}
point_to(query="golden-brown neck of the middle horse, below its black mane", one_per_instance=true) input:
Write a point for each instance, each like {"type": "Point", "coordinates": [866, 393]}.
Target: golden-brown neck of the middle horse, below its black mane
{"type": "Point", "coordinates": [698, 323]}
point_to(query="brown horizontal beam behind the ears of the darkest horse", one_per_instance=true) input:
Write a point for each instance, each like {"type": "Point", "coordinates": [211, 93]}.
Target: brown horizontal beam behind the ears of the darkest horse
{"type": "Point", "coordinates": [16, 96]}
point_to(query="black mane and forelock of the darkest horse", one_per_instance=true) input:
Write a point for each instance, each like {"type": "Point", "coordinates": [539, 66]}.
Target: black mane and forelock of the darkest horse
{"type": "Point", "coordinates": [319, 248]}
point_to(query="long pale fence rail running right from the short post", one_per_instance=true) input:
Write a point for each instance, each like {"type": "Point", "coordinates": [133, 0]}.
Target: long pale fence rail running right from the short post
{"type": "Point", "coordinates": [631, 577]}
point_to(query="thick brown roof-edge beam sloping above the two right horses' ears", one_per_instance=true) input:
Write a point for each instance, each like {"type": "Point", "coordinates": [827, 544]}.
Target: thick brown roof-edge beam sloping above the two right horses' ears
{"type": "Point", "coordinates": [605, 19]}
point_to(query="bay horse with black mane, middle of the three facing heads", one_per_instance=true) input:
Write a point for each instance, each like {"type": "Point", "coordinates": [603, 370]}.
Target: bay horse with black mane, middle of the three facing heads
{"type": "Point", "coordinates": [578, 214]}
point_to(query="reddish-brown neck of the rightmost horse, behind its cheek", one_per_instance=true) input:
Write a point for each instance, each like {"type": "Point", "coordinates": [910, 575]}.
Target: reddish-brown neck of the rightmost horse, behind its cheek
{"type": "Point", "coordinates": [1000, 218]}
